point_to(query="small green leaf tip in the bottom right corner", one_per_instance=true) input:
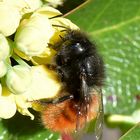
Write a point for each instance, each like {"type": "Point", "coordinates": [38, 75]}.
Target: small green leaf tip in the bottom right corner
{"type": "Point", "coordinates": [132, 134]}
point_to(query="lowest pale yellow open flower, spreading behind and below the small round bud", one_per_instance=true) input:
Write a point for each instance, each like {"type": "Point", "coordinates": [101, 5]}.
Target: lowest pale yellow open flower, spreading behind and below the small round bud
{"type": "Point", "coordinates": [44, 85]}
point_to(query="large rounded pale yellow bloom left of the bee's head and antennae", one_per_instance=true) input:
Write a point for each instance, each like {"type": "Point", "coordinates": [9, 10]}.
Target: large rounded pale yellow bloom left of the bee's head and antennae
{"type": "Point", "coordinates": [33, 35]}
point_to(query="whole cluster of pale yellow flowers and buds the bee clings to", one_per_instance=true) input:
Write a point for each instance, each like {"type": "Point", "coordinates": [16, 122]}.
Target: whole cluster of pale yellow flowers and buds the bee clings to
{"type": "Point", "coordinates": [26, 30]}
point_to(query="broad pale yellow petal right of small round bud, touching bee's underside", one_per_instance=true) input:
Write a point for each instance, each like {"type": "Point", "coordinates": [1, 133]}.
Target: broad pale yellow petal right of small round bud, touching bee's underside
{"type": "Point", "coordinates": [44, 84]}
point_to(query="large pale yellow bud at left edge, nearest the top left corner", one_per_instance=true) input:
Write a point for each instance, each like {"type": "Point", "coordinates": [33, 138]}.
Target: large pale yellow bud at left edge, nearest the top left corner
{"type": "Point", "coordinates": [9, 19]}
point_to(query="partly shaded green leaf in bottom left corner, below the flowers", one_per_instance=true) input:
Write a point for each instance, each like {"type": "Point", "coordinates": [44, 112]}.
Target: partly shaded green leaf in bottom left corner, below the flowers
{"type": "Point", "coordinates": [22, 128]}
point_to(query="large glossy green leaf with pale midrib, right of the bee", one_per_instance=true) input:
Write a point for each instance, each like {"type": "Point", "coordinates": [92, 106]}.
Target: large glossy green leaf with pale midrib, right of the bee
{"type": "Point", "coordinates": [115, 26]}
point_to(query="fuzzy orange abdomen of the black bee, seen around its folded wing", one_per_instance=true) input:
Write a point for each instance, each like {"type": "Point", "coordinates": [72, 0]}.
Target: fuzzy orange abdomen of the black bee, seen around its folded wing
{"type": "Point", "coordinates": [62, 117]}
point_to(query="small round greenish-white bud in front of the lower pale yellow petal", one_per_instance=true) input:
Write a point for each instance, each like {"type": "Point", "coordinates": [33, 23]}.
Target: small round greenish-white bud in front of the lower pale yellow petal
{"type": "Point", "coordinates": [18, 79]}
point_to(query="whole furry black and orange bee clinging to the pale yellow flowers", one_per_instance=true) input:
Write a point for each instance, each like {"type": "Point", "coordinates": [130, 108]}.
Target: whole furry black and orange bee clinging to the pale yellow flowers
{"type": "Point", "coordinates": [81, 72]}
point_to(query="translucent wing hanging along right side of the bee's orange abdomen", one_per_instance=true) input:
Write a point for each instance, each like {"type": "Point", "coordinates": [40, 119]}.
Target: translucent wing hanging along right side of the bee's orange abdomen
{"type": "Point", "coordinates": [100, 118]}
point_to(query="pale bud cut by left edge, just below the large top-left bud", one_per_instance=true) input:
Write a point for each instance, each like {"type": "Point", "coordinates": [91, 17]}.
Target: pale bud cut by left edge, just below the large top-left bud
{"type": "Point", "coordinates": [4, 48]}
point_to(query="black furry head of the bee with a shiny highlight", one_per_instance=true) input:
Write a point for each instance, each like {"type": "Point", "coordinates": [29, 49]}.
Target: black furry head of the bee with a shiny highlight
{"type": "Point", "coordinates": [74, 45]}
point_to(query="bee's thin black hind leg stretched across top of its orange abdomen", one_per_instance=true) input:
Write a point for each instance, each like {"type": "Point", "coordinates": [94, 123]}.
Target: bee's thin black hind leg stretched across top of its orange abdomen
{"type": "Point", "coordinates": [54, 101]}
